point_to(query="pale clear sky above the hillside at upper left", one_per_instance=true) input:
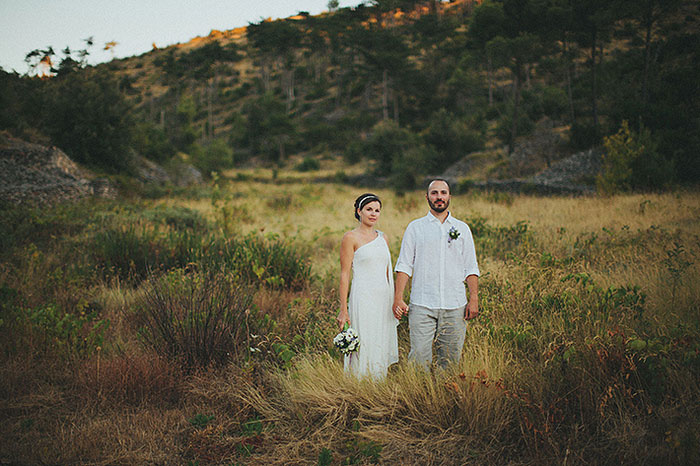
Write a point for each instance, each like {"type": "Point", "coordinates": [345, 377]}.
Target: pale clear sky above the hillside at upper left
{"type": "Point", "coordinates": [26, 25]}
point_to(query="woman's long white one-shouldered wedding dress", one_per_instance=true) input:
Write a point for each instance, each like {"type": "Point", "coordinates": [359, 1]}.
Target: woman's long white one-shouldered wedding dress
{"type": "Point", "coordinates": [369, 306]}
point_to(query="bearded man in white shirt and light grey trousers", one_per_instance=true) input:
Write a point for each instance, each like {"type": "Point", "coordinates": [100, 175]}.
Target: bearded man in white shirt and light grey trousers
{"type": "Point", "coordinates": [438, 252]}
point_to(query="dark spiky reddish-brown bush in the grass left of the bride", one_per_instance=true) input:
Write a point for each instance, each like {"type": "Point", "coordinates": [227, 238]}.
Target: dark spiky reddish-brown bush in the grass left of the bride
{"type": "Point", "coordinates": [196, 318]}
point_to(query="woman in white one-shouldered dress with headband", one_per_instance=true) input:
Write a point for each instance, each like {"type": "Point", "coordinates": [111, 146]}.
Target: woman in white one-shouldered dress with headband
{"type": "Point", "coordinates": [368, 308]}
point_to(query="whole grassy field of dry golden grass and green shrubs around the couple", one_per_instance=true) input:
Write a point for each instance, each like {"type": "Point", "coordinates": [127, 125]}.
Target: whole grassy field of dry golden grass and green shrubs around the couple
{"type": "Point", "coordinates": [196, 329]}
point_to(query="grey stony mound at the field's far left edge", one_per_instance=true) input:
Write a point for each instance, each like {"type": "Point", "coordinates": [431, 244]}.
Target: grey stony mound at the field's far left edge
{"type": "Point", "coordinates": [46, 175]}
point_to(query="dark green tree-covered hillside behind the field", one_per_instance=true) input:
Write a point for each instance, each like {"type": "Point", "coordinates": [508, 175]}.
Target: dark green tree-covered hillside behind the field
{"type": "Point", "coordinates": [412, 85]}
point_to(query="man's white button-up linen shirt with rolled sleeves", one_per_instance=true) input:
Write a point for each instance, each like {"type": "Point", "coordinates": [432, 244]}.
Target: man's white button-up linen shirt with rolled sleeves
{"type": "Point", "coordinates": [438, 268]}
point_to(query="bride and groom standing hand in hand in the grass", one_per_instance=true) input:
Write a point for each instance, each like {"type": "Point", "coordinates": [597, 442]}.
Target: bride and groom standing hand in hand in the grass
{"type": "Point", "coordinates": [437, 254]}
